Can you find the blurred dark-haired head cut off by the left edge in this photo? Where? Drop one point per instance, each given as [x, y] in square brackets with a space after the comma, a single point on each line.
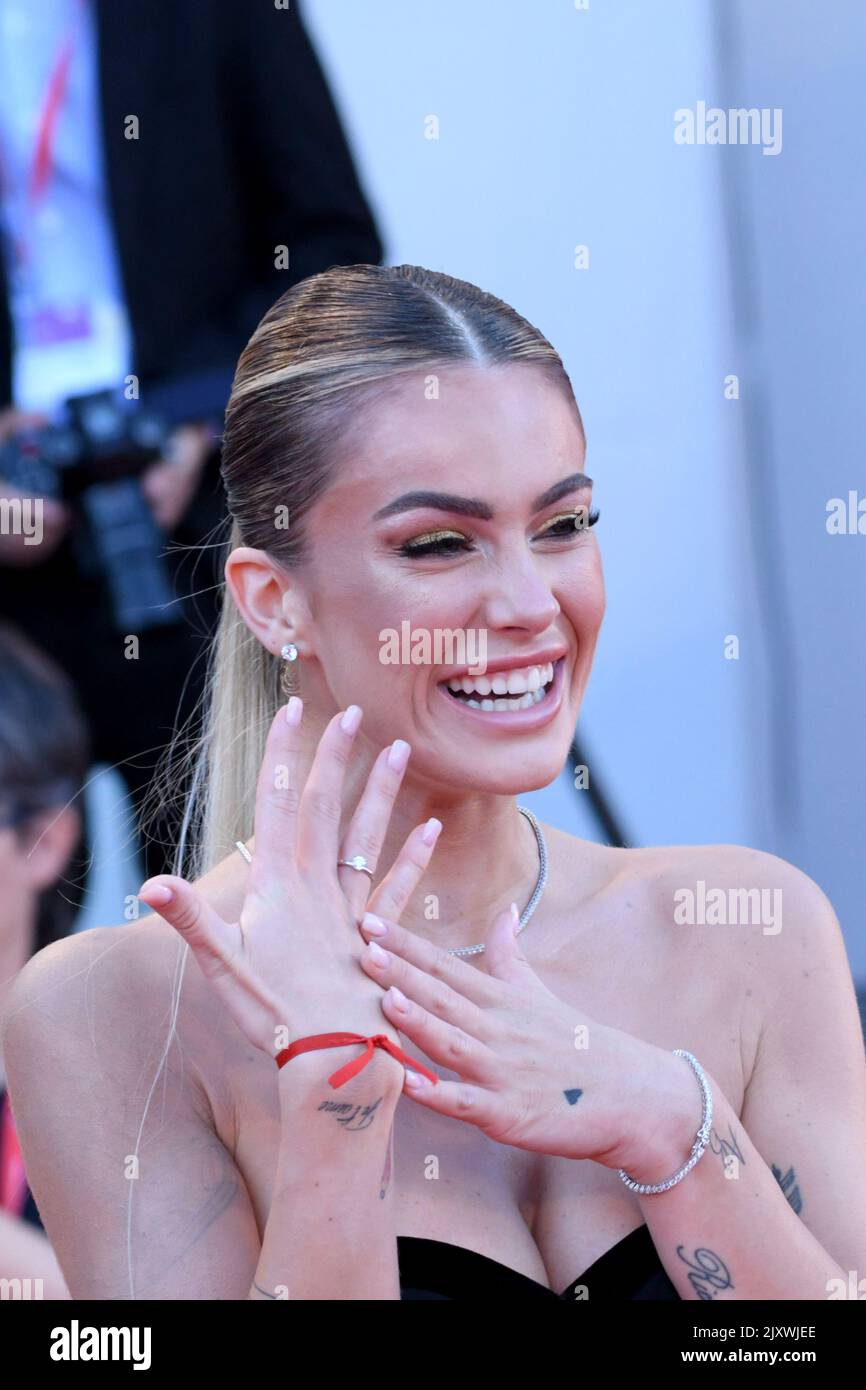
[44, 761]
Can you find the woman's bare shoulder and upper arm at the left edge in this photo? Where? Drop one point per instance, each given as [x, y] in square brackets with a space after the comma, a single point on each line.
[106, 1086]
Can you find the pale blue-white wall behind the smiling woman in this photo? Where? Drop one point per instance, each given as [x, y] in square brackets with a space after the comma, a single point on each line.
[555, 130]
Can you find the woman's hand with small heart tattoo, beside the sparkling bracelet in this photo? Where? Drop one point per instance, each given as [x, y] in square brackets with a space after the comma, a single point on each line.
[533, 1071]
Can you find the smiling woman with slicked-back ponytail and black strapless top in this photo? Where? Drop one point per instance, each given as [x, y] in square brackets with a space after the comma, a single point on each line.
[575, 1086]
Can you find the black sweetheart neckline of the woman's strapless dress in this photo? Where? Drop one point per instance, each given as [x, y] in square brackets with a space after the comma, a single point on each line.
[629, 1271]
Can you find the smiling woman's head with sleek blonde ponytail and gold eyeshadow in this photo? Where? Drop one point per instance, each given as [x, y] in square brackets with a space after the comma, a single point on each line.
[361, 386]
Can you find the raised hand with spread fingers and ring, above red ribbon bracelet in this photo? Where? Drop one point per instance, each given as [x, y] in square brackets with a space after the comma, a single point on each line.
[290, 965]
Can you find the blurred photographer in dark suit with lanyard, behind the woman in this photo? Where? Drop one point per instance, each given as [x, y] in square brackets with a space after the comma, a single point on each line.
[166, 172]
